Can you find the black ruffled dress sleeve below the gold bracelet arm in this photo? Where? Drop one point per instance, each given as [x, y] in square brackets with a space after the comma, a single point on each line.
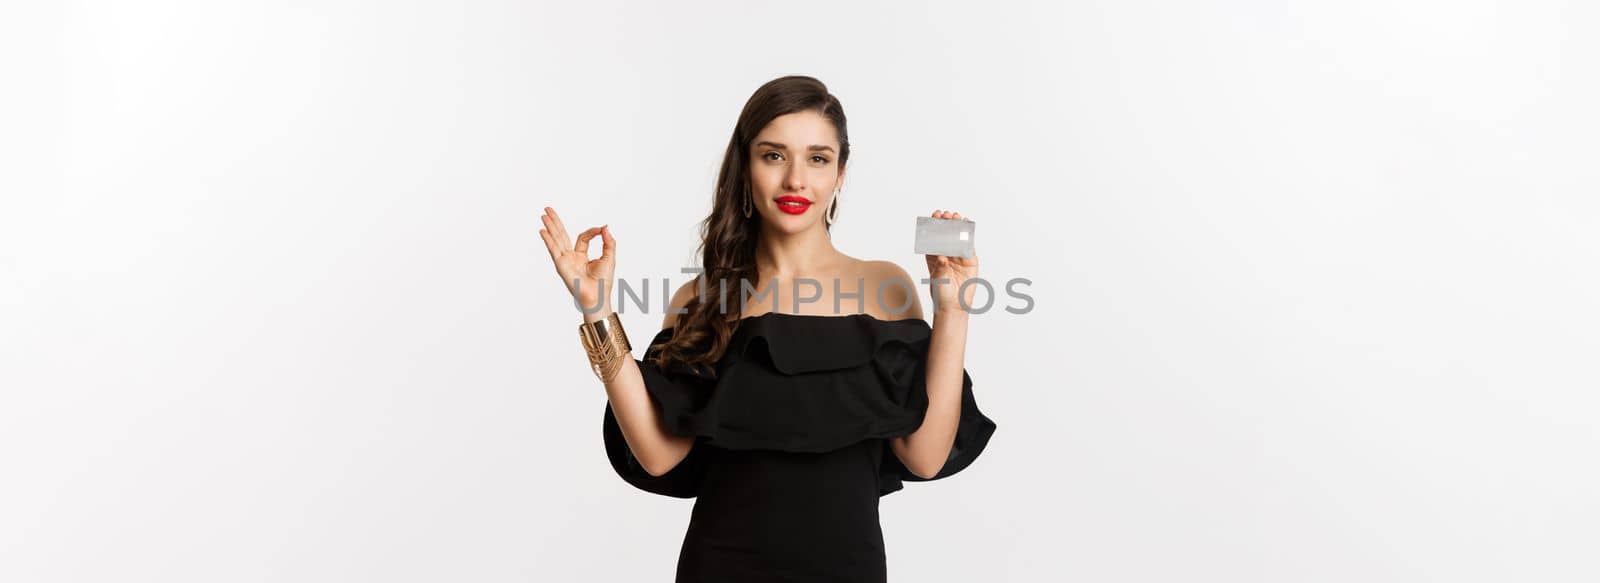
[674, 395]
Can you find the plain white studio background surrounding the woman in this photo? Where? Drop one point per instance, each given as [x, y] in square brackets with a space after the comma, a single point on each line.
[1314, 283]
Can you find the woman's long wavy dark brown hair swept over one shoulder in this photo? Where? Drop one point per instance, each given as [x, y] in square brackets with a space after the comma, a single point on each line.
[727, 236]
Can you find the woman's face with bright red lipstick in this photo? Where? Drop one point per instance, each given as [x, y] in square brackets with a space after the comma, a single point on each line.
[794, 171]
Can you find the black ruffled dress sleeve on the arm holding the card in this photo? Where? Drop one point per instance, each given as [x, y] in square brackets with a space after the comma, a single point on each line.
[906, 368]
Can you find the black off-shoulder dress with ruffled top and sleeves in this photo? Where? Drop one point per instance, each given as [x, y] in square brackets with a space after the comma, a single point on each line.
[791, 451]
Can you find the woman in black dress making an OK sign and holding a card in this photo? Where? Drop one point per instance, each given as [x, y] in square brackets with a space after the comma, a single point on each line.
[785, 427]
